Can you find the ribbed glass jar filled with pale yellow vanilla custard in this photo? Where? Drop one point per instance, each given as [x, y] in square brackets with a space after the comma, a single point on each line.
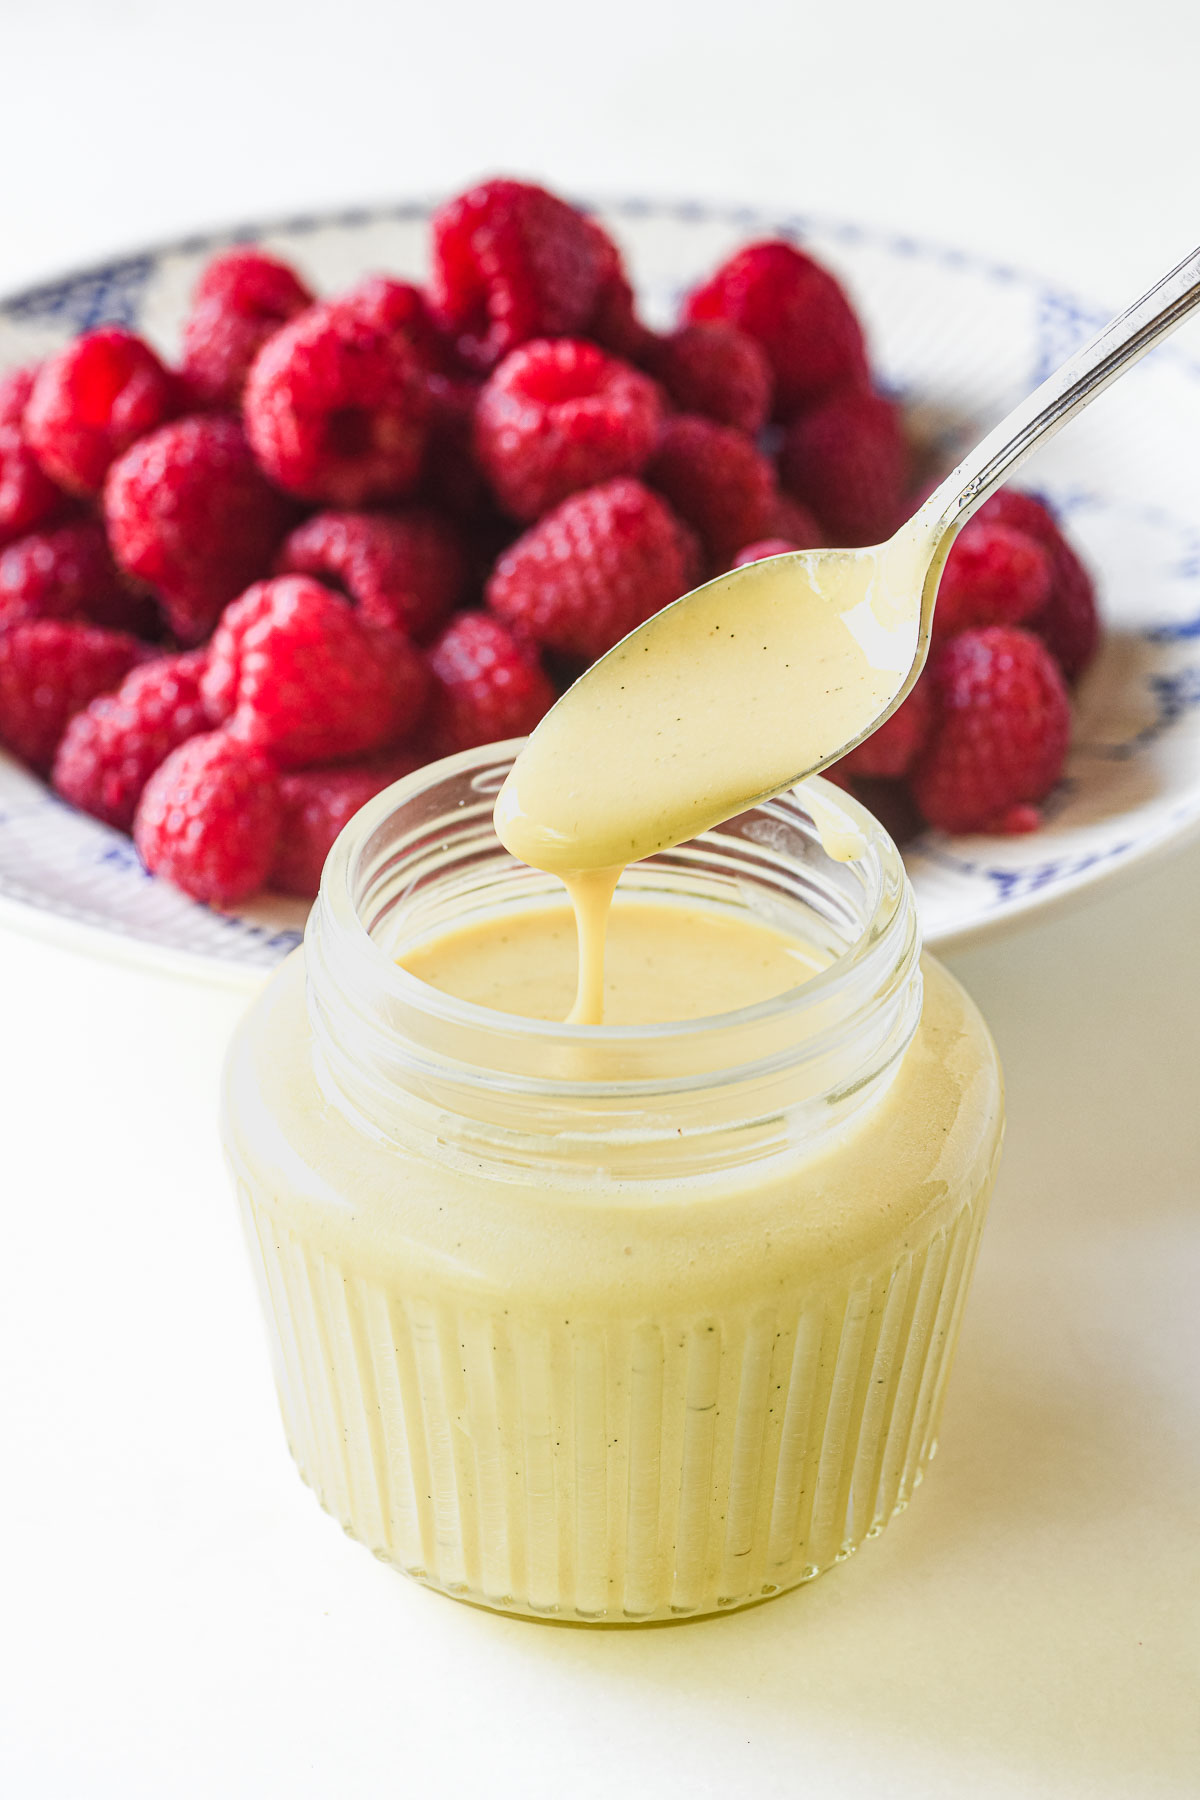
[609, 1324]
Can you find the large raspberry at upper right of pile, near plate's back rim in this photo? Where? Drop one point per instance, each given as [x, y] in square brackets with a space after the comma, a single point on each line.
[796, 310]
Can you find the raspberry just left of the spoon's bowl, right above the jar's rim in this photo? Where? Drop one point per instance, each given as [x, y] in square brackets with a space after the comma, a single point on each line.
[490, 687]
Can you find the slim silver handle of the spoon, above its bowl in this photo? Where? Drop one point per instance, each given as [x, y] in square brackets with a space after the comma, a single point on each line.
[1062, 395]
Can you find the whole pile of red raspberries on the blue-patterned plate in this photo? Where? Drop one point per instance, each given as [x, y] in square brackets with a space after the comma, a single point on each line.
[350, 535]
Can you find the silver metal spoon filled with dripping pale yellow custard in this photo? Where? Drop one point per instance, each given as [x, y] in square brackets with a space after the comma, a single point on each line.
[776, 670]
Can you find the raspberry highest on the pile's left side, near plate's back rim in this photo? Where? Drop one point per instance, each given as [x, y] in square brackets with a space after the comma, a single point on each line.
[242, 298]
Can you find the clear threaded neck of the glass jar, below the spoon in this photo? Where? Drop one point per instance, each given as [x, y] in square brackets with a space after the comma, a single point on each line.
[420, 1065]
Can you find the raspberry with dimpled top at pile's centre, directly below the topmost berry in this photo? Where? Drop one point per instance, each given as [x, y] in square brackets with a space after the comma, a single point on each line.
[559, 417]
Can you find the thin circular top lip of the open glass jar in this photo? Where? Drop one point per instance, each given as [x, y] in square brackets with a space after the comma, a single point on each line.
[343, 908]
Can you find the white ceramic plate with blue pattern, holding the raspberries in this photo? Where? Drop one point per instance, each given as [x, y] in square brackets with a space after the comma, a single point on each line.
[960, 339]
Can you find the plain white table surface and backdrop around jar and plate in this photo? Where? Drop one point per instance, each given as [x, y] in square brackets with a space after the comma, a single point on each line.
[179, 1617]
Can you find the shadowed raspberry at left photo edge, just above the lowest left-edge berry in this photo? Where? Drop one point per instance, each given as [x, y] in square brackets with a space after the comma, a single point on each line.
[66, 575]
